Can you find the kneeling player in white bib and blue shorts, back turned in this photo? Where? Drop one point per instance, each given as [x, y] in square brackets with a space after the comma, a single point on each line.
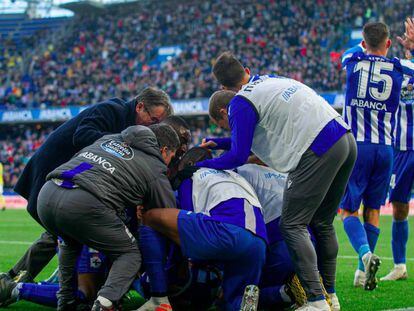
[221, 220]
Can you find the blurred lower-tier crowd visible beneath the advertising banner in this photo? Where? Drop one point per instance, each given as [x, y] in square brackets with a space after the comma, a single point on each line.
[19, 144]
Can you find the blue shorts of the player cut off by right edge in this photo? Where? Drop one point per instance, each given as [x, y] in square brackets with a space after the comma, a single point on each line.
[402, 176]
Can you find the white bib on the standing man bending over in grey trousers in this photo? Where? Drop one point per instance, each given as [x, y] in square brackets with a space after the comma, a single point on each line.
[291, 115]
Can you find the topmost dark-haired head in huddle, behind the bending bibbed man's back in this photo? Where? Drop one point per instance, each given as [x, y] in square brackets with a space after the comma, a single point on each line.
[228, 71]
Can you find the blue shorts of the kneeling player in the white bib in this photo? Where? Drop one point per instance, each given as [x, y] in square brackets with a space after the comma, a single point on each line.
[240, 252]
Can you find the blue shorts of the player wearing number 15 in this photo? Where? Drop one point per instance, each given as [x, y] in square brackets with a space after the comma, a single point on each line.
[370, 178]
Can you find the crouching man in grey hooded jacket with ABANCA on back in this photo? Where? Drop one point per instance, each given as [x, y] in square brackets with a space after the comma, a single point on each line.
[85, 199]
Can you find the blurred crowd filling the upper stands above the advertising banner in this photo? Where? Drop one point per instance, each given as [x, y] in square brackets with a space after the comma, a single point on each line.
[112, 54]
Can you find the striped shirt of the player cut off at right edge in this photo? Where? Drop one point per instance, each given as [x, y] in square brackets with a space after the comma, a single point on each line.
[404, 129]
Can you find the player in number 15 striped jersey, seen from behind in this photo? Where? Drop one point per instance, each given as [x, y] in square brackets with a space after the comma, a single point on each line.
[372, 96]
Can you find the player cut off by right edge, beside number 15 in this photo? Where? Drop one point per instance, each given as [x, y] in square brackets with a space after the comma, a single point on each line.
[402, 180]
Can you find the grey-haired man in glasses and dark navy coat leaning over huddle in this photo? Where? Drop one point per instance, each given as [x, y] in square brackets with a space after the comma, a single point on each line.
[112, 116]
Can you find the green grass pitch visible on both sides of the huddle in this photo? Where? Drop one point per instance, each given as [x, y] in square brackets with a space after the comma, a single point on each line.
[16, 225]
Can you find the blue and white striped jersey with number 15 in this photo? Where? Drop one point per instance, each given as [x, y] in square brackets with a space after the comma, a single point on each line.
[373, 94]
